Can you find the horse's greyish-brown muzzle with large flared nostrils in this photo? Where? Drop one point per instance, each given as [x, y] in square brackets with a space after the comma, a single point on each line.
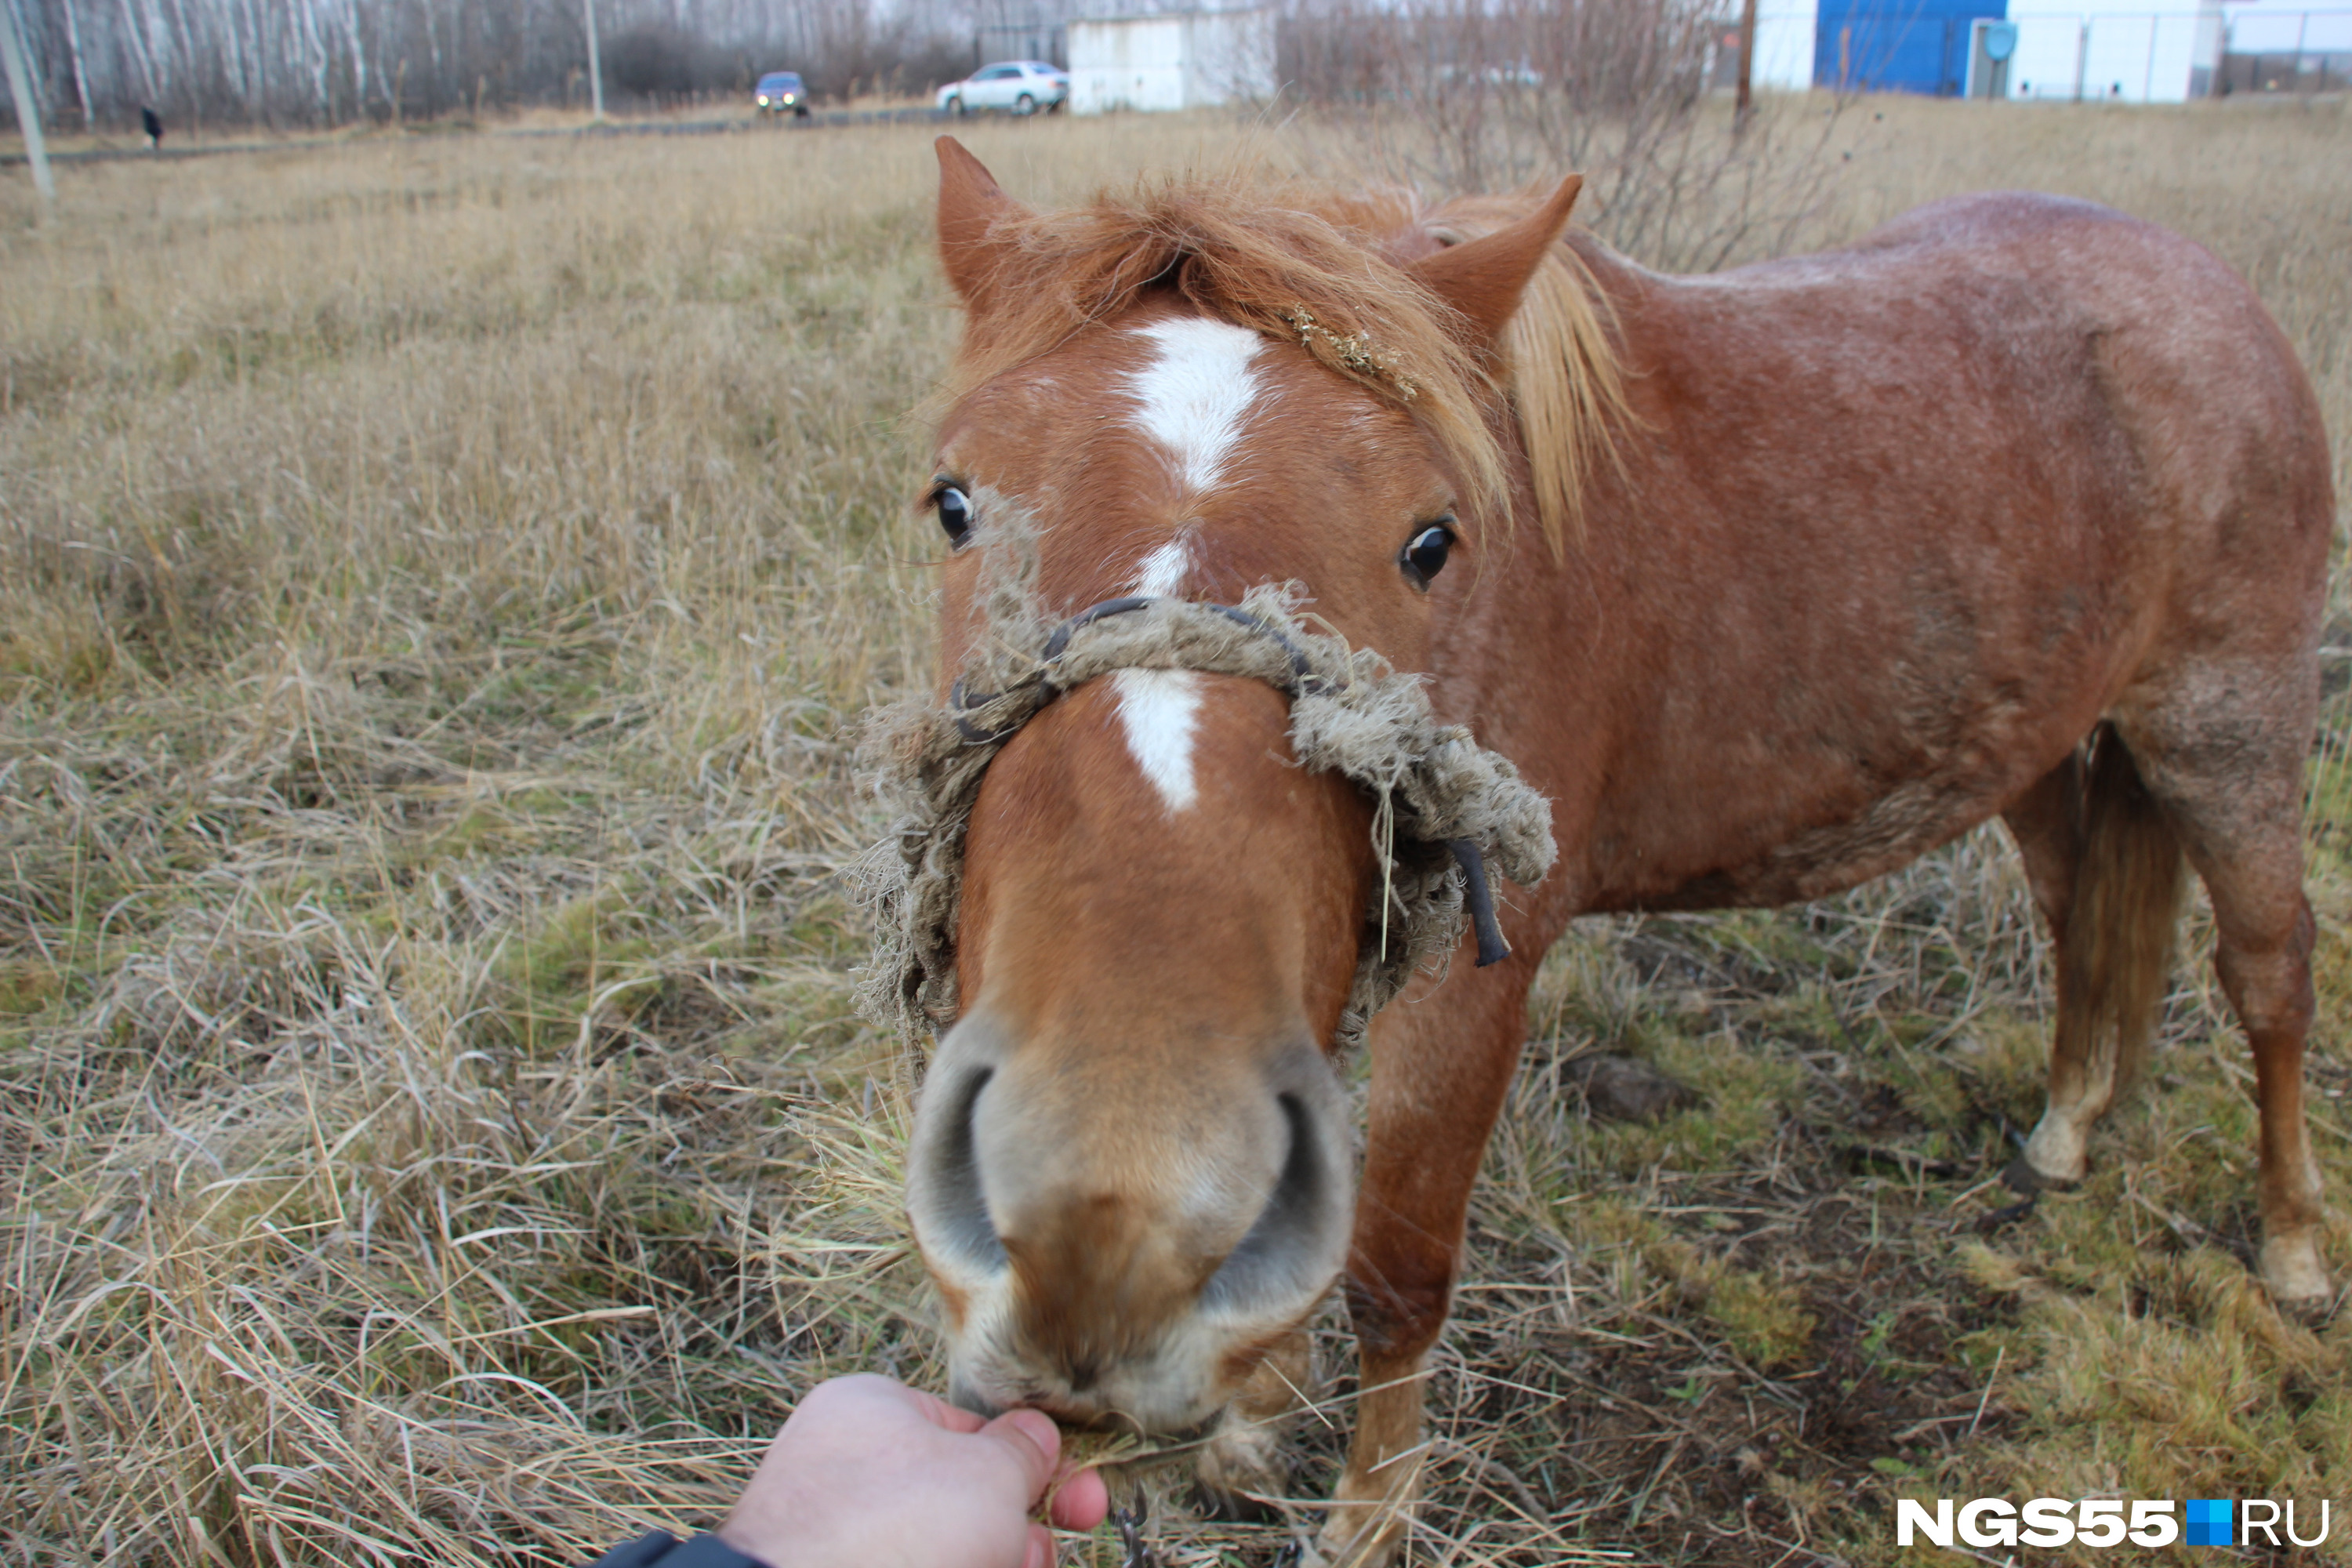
[1123, 1233]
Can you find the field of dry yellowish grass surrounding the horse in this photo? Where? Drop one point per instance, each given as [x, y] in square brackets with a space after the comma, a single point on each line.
[439, 587]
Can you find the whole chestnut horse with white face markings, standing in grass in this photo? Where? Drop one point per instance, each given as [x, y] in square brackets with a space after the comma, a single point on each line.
[1770, 582]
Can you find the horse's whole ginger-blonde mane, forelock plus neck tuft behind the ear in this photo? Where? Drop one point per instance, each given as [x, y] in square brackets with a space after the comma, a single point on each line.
[1318, 269]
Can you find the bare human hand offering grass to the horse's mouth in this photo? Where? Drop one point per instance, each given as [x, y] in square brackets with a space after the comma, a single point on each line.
[876, 1475]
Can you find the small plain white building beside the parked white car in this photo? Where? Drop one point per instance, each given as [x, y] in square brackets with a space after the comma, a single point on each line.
[1184, 60]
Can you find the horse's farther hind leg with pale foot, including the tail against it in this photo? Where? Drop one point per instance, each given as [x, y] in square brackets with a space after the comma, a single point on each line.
[2104, 866]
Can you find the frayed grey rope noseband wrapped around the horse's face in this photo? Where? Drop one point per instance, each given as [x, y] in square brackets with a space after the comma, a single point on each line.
[1351, 713]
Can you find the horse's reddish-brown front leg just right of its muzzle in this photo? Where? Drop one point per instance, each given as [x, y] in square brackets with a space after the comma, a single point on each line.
[1441, 1068]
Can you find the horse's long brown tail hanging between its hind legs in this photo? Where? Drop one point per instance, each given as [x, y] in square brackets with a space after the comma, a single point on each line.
[2127, 904]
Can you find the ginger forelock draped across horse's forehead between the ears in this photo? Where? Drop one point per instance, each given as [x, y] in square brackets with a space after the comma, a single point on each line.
[1321, 272]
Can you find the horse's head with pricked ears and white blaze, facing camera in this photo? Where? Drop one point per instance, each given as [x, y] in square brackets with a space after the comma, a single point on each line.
[1130, 1172]
